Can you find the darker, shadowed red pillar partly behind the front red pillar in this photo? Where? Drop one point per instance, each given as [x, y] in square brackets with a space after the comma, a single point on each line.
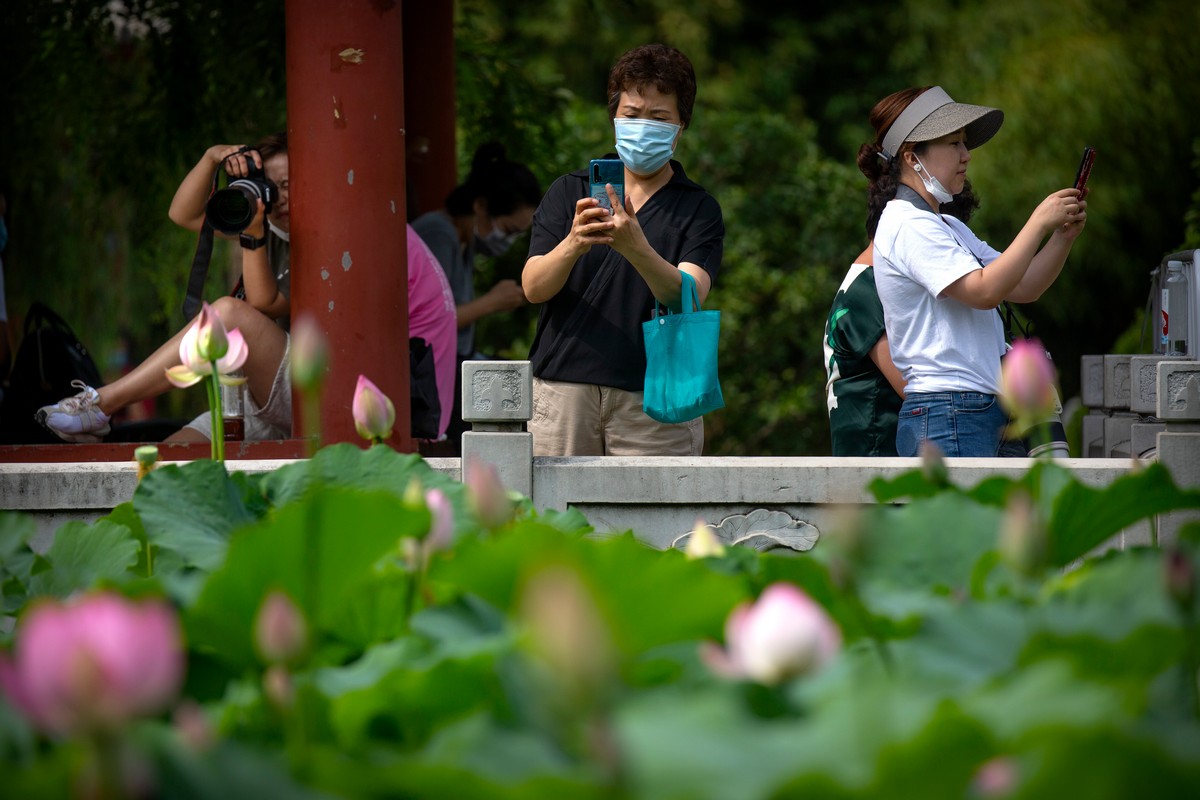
[430, 104]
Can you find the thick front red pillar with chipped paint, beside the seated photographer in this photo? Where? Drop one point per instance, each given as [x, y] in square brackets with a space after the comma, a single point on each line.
[346, 145]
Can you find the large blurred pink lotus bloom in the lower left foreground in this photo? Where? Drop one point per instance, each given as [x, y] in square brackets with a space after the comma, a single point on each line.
[94, 664]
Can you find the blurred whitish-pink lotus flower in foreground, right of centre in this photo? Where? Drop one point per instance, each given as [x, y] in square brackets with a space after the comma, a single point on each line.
[784, 635]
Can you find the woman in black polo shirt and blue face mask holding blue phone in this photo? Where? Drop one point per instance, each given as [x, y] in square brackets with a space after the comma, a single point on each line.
[599, 273]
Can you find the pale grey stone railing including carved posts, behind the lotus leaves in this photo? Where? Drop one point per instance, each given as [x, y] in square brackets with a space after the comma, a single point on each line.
[760, 502]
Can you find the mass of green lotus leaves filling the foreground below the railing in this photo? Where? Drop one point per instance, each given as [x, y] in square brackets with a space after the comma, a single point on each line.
[992, 646]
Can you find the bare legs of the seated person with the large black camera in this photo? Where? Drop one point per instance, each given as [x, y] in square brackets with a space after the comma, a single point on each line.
[267, 345]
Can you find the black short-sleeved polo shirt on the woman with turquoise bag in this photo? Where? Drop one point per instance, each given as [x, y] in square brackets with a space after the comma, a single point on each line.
[591, 333]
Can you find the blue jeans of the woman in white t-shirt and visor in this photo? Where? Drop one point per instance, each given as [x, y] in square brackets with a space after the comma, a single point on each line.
[961, 424]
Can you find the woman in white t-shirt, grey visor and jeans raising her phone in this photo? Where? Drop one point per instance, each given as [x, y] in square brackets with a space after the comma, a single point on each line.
[939, 282]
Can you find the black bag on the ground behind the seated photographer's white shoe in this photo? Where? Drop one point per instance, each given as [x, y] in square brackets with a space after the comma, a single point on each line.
[49, 359]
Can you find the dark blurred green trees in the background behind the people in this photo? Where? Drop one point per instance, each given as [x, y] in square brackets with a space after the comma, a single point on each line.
[103, 125]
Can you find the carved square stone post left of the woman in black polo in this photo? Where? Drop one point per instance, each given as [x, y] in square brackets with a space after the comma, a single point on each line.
[497, 400]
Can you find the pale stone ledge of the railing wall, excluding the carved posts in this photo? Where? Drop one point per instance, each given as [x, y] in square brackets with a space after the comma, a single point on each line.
[661, 498]
